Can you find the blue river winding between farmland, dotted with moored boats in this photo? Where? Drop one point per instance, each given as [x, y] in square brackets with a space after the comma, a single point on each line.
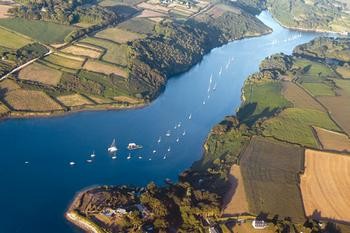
[34, 196]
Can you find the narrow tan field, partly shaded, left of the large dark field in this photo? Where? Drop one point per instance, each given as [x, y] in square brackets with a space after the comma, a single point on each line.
[235, 200]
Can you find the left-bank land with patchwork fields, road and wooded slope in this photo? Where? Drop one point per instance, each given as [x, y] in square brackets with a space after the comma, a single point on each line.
[60, 57]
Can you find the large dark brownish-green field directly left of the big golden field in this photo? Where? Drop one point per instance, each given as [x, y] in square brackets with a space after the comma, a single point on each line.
[270, 174]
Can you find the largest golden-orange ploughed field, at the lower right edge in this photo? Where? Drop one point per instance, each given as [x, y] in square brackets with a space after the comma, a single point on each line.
[325, 185]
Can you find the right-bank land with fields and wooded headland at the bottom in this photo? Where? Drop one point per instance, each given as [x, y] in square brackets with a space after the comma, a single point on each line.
[262, 164]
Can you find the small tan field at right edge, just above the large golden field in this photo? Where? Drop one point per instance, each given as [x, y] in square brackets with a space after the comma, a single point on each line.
[331, 140]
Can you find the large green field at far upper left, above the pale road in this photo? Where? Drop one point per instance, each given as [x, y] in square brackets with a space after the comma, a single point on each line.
[44, 32]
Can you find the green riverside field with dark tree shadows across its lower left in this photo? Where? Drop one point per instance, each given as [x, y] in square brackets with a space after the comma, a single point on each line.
[261, 100]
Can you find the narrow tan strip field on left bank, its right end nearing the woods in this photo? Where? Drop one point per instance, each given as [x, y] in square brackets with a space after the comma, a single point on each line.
[105, 68]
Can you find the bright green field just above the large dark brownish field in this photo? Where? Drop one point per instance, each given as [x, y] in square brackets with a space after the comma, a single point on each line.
[295, 125]
